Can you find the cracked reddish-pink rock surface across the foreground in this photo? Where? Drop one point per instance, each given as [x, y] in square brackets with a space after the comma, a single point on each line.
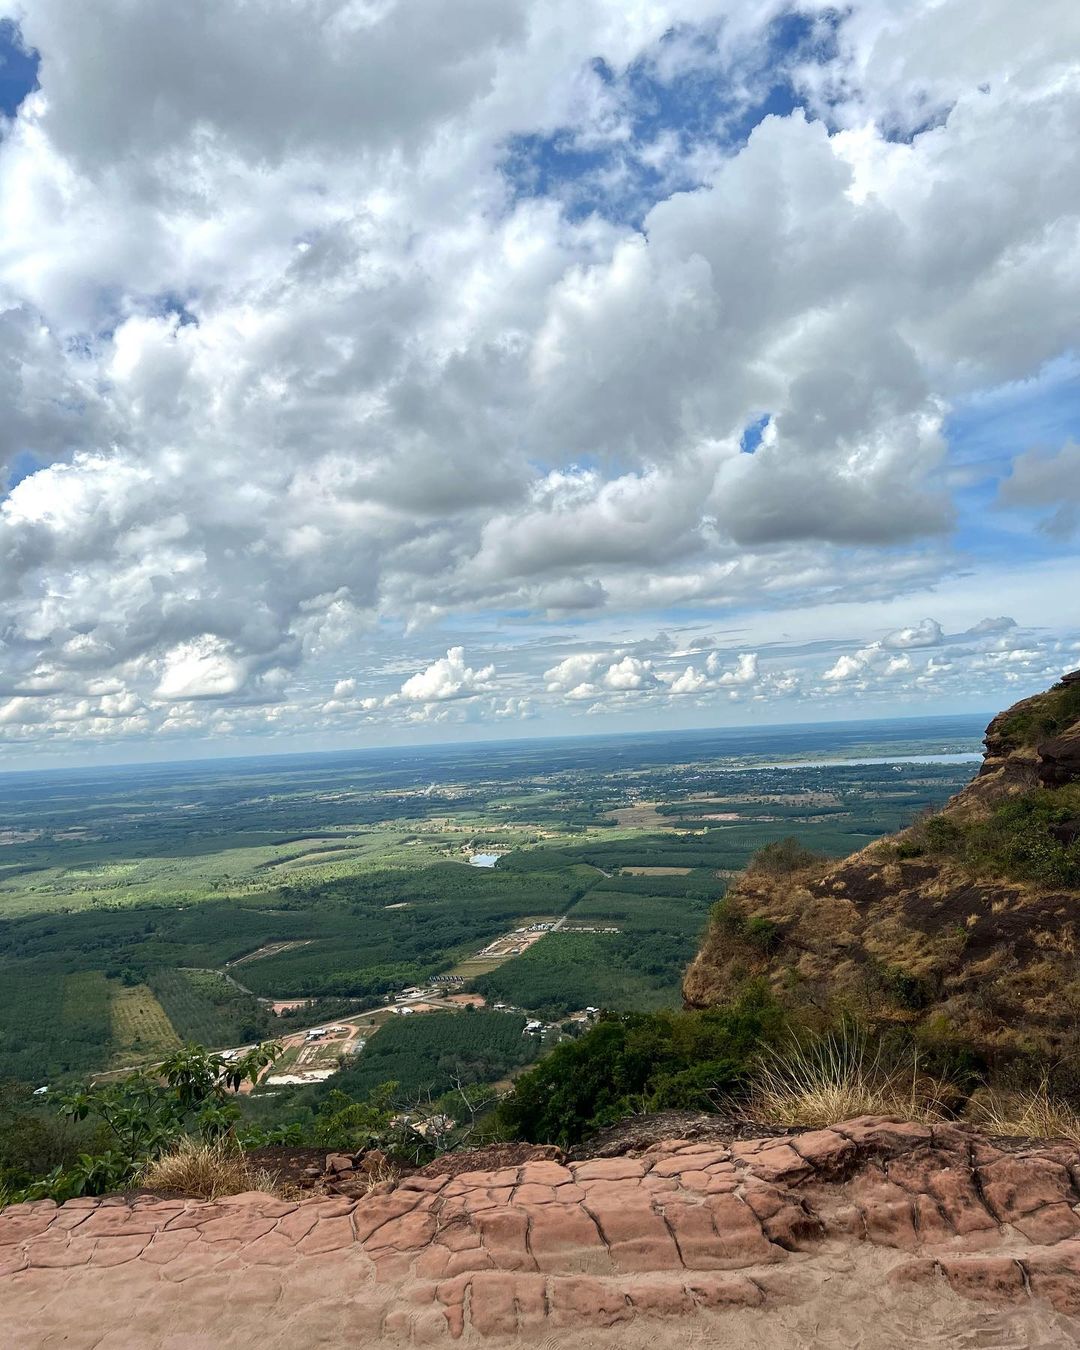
[873, 1233]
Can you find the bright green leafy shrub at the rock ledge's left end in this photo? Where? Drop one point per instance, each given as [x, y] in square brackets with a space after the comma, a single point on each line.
[144, 1114]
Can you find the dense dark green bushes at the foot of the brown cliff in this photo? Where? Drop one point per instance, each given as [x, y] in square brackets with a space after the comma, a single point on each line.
[634, 1063]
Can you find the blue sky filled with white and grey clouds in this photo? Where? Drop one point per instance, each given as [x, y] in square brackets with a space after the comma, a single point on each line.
[387, 372]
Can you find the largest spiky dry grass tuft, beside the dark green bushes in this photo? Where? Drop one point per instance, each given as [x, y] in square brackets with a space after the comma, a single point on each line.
[821, 1081]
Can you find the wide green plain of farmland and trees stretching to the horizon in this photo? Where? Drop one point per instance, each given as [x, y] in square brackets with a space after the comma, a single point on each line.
[146, 907]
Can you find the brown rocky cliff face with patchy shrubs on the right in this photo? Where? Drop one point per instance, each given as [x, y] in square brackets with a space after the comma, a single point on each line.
[963, 927]
